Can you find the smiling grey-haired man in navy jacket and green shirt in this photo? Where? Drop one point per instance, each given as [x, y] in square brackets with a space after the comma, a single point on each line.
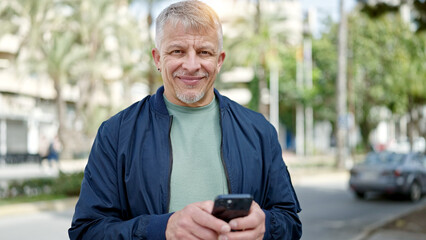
[155, 167]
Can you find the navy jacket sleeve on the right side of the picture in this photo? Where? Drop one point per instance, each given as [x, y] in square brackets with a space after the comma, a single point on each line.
[281, 203]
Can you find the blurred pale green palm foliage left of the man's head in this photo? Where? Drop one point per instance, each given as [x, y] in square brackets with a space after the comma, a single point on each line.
[76, 44]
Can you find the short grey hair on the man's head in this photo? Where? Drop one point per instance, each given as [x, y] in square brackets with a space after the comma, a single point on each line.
[193, 15]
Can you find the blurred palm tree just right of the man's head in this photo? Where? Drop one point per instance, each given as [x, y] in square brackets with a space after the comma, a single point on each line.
[262, 48]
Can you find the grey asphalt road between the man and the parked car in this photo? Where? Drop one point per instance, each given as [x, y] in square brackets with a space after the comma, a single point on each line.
[331, 212]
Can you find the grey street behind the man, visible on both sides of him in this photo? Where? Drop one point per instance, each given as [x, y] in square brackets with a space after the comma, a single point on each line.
[330, 212]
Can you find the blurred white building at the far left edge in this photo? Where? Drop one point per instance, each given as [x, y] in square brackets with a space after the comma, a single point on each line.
[27, 110]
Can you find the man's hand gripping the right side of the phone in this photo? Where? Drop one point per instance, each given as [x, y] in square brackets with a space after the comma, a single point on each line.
[250, 227]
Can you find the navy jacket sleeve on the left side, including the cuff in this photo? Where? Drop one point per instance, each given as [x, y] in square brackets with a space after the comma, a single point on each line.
[99, 210]
